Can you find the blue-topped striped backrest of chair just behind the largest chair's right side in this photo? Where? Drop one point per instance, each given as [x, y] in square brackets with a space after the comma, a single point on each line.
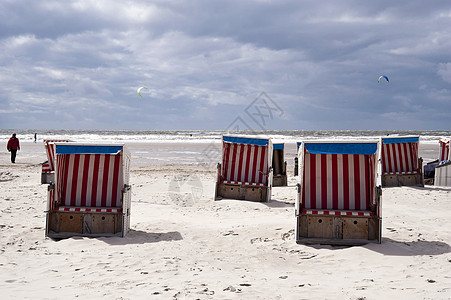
[399, 154]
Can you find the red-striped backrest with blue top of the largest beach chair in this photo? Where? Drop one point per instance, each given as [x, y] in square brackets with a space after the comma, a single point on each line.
[338, 176]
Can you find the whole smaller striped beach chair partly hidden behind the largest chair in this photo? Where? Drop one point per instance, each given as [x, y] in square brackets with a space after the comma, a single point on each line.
[401, 164]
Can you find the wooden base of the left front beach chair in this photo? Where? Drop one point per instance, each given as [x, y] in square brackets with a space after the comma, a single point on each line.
[68, 224]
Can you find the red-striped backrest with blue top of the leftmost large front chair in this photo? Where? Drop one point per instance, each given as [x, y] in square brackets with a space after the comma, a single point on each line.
[90, 175]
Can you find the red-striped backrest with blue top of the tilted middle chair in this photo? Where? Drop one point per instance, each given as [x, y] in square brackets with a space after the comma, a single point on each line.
[246, 159]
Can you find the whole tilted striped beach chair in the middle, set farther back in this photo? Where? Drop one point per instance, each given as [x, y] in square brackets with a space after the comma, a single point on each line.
[245, 172]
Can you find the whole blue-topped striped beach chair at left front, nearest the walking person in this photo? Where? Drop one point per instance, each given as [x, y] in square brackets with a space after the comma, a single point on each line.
[91, 193]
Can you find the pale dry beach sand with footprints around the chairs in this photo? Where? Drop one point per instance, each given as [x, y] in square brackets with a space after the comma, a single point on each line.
[182, 247]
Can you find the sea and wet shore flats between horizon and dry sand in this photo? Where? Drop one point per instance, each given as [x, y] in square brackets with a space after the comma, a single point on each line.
[196, 147]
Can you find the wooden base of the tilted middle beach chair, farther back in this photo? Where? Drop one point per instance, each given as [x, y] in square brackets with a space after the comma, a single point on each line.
[241, 192]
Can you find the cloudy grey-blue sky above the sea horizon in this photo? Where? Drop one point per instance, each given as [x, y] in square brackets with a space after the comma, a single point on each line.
[247, 64]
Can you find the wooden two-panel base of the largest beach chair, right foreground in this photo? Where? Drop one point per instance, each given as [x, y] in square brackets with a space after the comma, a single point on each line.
[338, 230]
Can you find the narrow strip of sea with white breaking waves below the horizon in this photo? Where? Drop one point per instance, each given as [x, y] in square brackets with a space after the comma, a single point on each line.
[213, 136]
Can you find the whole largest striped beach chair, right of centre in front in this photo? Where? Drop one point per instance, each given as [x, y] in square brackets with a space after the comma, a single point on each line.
[339, 197]
